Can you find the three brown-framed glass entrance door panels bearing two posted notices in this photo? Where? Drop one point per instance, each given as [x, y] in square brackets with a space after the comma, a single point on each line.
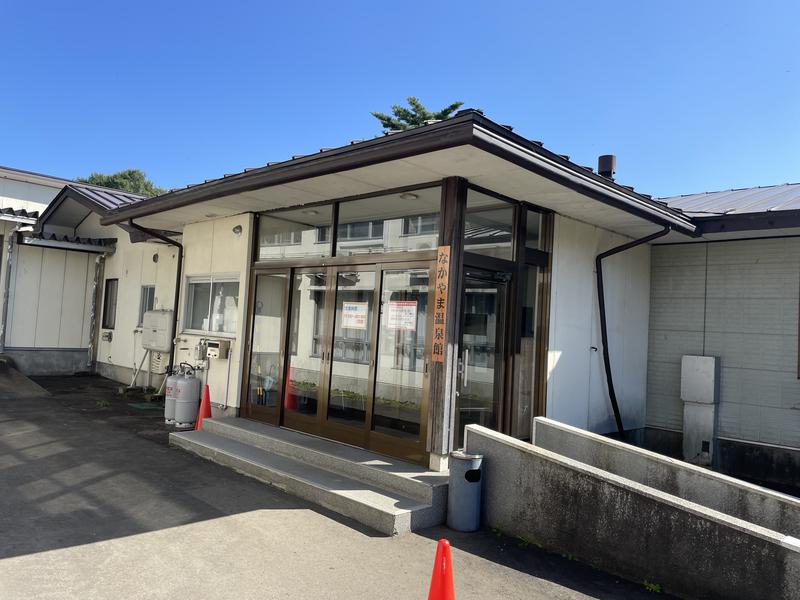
[357, 355]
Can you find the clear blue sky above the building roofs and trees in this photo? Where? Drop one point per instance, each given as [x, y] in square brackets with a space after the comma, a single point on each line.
[690, 95]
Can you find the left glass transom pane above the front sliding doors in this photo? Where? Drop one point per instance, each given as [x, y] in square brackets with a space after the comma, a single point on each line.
[294, 233]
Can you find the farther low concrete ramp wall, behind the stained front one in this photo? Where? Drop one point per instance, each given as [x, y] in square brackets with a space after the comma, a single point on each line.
[733, 497]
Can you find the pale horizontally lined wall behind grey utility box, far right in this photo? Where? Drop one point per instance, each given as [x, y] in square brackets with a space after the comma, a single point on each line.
[738, 301]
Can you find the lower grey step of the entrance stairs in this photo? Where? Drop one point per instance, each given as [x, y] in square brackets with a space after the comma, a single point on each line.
[383, 510]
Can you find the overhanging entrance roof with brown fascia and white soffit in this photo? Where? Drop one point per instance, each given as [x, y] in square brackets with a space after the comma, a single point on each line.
[467, 145]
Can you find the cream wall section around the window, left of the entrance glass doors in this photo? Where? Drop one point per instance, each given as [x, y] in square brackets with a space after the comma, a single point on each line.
[212, 248]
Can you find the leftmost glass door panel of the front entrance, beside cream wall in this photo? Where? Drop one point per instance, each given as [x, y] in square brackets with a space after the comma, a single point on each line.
[266, 346]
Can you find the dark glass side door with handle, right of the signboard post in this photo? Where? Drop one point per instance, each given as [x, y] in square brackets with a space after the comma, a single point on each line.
[481, 364]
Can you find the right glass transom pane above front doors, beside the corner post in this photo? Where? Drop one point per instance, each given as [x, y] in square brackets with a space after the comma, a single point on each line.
[399, 222]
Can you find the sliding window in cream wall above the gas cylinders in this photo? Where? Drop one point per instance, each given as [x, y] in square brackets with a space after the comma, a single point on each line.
[212, 305]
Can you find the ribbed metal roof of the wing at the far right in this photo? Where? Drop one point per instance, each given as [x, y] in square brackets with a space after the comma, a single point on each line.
[768, 198]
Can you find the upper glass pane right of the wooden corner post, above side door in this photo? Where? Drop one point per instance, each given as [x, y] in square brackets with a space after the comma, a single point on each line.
[488, 226]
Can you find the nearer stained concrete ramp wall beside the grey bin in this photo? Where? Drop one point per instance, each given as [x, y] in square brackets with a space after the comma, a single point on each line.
[625, 527]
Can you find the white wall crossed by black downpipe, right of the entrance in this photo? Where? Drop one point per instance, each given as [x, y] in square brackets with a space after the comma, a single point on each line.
[576, 384]
